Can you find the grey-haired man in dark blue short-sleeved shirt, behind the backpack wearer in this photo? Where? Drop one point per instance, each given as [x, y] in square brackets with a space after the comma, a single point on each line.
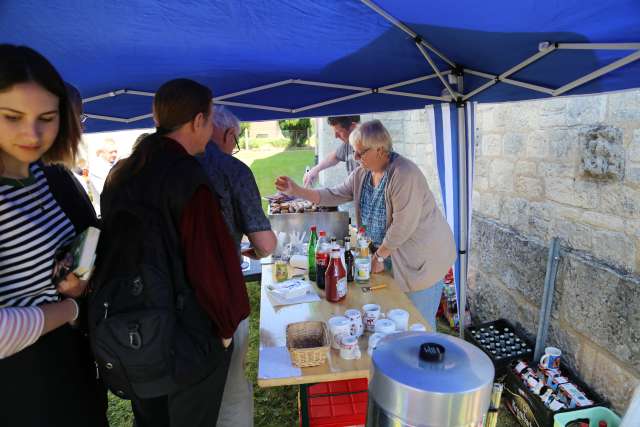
[241, 206]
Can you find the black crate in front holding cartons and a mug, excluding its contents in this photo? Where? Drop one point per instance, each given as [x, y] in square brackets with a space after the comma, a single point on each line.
[529, 409]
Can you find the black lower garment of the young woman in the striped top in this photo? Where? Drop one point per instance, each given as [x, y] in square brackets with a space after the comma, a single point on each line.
[52, 383]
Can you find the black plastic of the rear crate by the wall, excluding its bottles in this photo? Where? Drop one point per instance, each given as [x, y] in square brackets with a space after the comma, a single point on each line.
[500, 360]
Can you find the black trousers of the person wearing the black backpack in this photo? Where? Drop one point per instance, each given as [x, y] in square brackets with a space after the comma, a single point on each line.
[196, 405]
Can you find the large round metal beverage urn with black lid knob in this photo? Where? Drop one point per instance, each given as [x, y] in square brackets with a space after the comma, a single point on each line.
[421, 379]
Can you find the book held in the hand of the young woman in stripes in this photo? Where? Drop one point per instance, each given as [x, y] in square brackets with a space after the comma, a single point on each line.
[77, 257]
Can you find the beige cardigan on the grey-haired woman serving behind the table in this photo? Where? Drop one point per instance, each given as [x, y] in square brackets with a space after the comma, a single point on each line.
[420, 240]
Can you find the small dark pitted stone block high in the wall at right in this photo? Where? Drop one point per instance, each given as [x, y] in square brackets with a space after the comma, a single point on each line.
[602, 155]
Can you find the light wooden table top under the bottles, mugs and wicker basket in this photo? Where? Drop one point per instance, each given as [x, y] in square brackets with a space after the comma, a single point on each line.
[275, 367]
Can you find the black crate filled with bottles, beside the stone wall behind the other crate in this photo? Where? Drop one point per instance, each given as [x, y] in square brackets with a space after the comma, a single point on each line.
[501, 341]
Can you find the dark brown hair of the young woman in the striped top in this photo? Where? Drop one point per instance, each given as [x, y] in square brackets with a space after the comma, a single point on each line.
[21, 64]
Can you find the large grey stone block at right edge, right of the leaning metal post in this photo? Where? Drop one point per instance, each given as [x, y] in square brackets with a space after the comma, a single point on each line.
[602, 305]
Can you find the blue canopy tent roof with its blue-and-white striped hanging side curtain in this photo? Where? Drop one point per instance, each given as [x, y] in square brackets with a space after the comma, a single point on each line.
[301, 58]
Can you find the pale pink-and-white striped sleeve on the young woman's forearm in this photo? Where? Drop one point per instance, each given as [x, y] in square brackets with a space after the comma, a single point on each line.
[19, 328]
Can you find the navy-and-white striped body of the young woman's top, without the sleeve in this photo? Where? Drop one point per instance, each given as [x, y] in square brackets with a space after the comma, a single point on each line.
[32, 228]
